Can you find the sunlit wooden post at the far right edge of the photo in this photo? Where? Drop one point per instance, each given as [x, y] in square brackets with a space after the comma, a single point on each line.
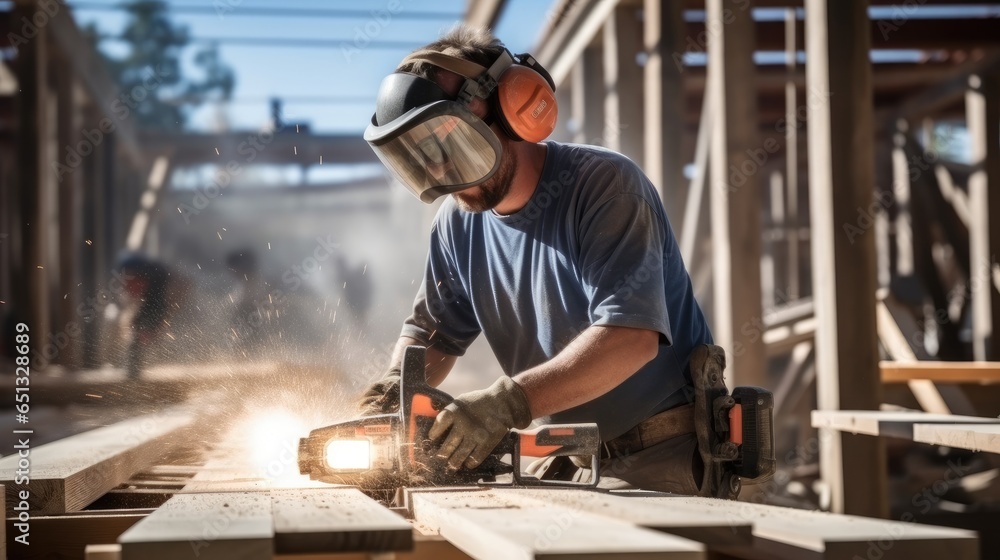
[982, 108]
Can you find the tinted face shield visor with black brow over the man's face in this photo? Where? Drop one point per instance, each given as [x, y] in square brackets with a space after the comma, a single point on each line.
[430, 143]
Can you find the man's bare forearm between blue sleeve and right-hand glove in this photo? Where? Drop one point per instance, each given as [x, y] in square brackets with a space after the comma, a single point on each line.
[597, 361]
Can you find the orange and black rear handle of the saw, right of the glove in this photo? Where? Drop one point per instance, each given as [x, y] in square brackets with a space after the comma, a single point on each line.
[555, 441]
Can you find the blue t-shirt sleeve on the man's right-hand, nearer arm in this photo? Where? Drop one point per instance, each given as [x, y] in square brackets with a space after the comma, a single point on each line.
[621, 253]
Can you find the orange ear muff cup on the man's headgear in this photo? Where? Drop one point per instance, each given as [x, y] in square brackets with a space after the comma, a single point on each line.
[527, 104]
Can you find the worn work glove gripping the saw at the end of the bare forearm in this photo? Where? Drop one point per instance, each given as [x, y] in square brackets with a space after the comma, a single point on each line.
[474, 423]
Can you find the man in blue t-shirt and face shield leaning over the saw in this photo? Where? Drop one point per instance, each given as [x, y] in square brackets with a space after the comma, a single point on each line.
[560, 254]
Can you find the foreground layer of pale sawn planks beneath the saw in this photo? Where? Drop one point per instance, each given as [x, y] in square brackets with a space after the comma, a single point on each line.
[225, 509]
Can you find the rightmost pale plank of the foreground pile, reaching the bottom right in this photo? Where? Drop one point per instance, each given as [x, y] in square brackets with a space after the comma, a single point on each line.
[795, 534]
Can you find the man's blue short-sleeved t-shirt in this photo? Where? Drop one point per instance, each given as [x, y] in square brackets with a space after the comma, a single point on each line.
[592, 247]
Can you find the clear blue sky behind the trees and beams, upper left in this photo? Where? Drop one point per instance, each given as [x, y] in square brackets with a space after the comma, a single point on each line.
[331, 86]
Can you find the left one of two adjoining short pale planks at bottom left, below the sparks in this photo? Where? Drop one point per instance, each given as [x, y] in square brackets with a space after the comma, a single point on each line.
[203, 526]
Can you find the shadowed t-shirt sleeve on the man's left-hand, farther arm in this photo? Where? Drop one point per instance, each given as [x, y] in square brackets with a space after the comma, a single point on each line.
[442, 315]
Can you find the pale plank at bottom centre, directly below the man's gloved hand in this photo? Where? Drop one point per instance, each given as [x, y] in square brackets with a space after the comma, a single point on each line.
[486, 524]
